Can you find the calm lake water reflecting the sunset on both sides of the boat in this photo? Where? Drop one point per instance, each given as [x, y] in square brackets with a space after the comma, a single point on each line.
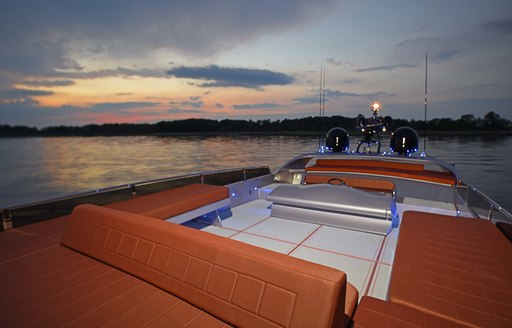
[39, 168]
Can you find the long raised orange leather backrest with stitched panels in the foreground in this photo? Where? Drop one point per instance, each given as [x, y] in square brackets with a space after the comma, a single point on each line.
[238, 283]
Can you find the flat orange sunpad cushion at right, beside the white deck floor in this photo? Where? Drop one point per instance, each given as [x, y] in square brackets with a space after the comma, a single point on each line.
[456, 268]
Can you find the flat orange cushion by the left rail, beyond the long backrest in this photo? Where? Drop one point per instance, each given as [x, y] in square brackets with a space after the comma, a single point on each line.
[169, 203]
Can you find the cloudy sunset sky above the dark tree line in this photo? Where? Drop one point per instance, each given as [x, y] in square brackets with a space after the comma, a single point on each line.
[126, 61]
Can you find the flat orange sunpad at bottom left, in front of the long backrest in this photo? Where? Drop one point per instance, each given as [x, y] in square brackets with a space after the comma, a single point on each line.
[45, 284]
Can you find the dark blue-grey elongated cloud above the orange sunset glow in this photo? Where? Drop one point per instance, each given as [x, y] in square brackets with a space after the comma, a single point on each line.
[218, 76]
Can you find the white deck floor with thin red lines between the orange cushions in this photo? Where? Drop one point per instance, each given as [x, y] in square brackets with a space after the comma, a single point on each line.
[366, 258]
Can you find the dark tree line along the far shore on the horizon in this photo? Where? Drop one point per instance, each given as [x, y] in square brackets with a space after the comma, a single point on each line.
[490, 122]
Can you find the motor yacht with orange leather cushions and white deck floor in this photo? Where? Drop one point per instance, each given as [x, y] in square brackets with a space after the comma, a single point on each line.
[334, 238]
